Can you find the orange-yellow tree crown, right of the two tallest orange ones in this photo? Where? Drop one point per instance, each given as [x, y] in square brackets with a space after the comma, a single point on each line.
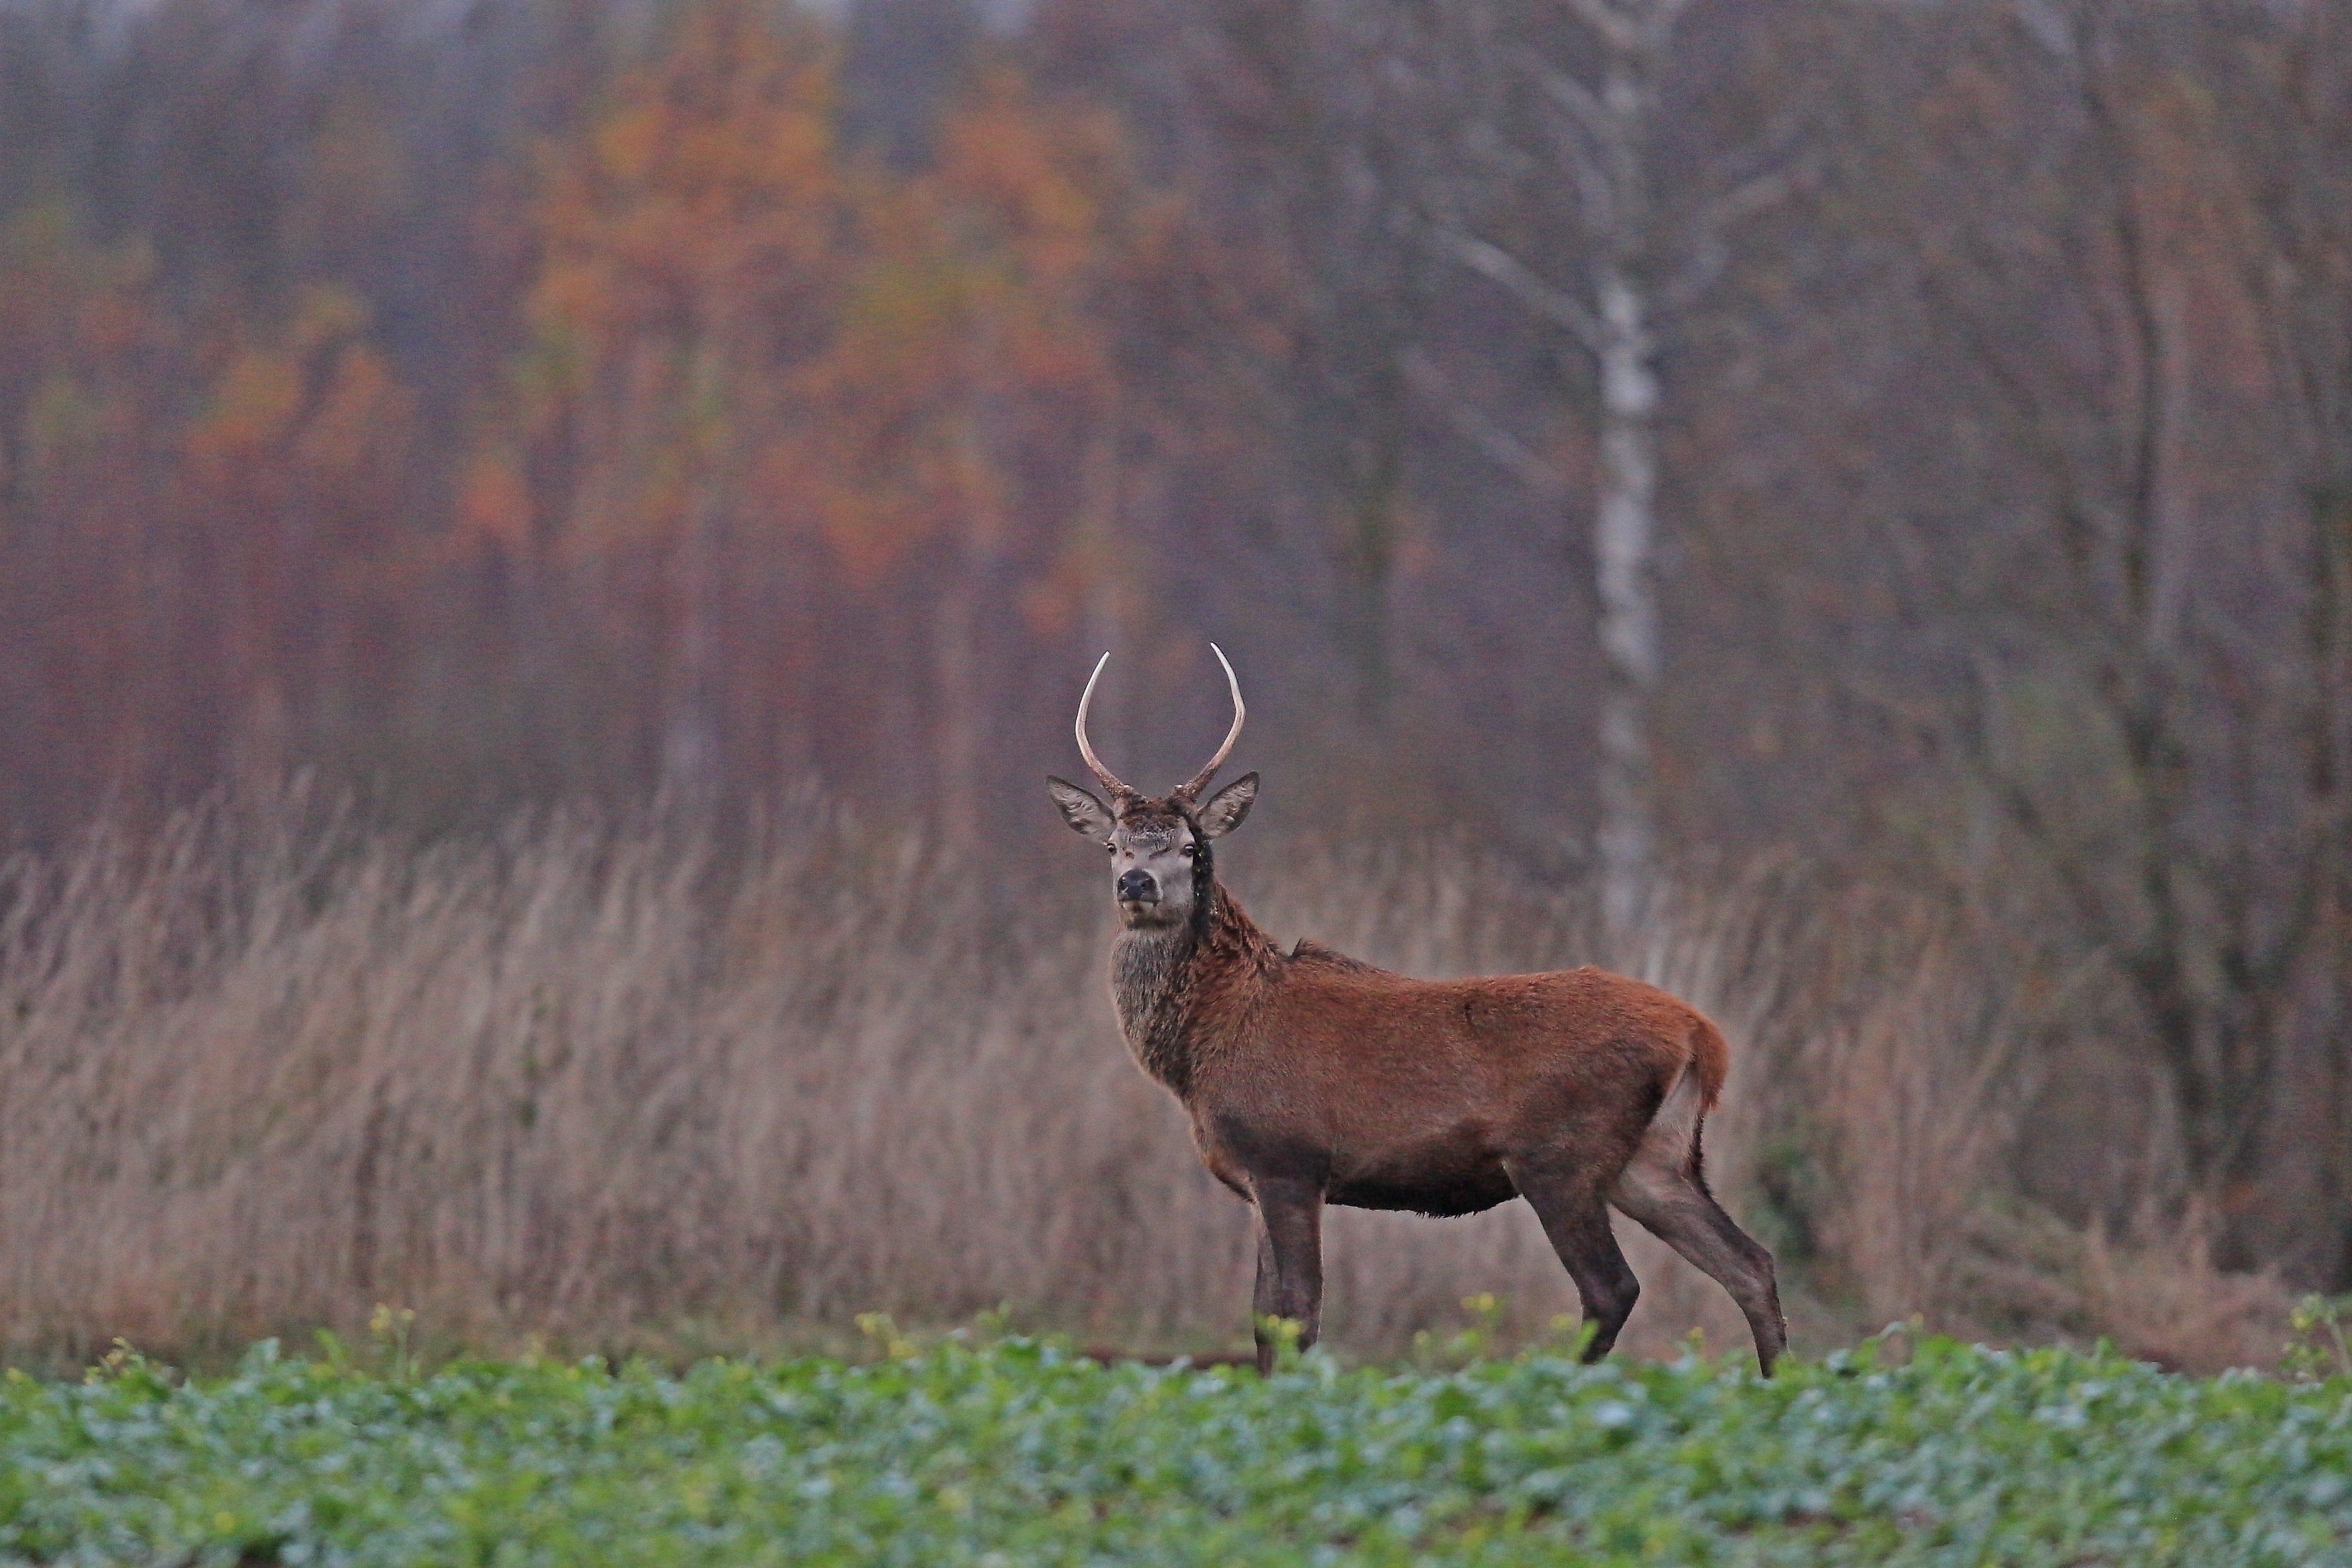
[975, 354]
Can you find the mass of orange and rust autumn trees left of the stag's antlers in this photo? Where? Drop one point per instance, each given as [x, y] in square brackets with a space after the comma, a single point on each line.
[761, 457]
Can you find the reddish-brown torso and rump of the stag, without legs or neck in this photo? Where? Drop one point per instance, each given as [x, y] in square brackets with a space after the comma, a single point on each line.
[1441, 1097]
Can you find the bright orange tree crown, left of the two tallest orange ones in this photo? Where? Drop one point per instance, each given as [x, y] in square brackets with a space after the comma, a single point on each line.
[686, 260]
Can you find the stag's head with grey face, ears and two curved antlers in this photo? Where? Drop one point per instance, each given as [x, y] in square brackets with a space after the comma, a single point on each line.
[1161, 864]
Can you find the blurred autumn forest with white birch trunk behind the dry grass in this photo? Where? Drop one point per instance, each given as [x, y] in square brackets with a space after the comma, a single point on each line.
[1652, 436]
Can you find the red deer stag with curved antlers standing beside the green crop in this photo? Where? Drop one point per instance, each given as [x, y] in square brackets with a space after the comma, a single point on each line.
[1318, 1080]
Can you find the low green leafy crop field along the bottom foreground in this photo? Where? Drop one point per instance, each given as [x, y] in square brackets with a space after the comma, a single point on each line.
[1027, 1454]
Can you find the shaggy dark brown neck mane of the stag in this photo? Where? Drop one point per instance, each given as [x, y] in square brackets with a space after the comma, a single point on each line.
[1161, 981]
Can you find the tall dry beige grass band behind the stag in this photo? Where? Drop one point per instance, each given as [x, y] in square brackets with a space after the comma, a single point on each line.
[634, 1080]
